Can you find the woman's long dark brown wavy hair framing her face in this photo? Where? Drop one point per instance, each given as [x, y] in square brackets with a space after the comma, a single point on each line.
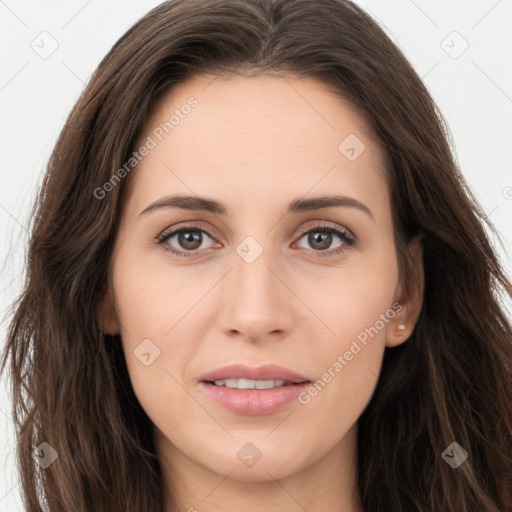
[451, 381]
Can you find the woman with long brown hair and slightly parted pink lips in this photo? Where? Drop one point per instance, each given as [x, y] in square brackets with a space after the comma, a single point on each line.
[255, 369]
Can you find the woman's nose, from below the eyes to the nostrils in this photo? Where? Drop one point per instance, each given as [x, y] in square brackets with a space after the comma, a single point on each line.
[257, 300]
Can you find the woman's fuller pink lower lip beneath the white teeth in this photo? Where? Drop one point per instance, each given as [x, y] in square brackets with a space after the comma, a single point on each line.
[253, 402]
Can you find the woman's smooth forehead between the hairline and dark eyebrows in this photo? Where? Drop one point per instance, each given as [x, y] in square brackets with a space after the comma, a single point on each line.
[257, 138]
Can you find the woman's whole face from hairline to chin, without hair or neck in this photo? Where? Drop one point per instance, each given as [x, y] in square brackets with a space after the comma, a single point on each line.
[257, 275]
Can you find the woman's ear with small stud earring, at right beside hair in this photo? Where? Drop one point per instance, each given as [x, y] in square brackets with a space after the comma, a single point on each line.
[410, 296]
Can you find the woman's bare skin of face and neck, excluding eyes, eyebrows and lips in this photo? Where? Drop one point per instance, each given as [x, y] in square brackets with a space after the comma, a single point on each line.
[256, 144]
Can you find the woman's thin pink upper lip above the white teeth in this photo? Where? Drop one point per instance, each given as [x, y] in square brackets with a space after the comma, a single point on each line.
[266, 372]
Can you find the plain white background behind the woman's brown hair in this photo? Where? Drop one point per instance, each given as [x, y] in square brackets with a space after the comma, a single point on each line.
[473, 91]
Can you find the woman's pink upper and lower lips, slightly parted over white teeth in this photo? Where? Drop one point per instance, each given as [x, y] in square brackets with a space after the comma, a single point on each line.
[254, 402]
